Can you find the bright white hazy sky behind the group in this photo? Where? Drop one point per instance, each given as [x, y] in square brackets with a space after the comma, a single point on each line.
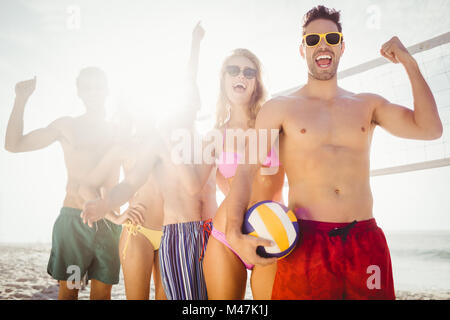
[144, 45]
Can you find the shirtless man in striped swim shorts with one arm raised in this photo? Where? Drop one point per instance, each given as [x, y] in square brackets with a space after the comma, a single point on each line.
[188, 193]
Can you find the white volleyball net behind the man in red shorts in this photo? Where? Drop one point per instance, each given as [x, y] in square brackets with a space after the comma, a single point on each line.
[391, 154]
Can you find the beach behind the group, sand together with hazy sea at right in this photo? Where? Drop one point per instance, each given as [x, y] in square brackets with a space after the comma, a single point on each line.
[421, 265]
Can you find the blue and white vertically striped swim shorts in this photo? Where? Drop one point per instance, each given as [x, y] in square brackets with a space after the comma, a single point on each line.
[180, 256]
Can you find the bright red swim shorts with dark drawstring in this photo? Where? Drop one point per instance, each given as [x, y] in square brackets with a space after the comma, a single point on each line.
[336, 261]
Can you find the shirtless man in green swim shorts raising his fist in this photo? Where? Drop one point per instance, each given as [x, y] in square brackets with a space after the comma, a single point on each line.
[84, 139]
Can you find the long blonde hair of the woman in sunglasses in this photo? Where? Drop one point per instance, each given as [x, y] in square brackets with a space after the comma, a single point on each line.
[258, 96]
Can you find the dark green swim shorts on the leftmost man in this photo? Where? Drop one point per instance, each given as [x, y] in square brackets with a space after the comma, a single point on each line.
[77, 247]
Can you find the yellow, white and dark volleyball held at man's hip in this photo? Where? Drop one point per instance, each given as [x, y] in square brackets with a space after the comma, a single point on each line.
[272, 221]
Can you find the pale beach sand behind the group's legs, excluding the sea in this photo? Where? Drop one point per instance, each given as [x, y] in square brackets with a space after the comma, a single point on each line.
[23, 276]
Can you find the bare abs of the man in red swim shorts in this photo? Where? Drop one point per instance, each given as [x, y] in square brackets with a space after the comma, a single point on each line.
[330, 186]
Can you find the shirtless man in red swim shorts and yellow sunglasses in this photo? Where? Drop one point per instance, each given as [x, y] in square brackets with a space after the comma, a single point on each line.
[325, 136]
